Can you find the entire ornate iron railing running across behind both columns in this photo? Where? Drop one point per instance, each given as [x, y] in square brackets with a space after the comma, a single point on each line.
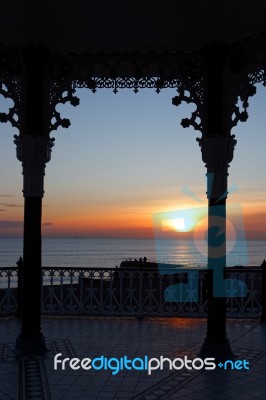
[134, 292]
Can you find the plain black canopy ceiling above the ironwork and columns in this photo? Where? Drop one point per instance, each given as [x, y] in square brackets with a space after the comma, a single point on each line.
[135, 25]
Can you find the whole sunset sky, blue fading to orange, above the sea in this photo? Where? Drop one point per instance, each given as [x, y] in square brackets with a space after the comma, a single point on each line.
[126, 161]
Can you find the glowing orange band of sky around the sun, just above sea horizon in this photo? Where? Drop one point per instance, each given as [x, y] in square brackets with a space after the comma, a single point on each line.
[128, 220]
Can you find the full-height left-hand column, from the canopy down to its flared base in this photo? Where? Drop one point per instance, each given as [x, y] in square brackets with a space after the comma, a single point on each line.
[34, 151]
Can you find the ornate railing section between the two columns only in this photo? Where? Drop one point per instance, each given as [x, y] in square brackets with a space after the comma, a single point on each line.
[118, 292]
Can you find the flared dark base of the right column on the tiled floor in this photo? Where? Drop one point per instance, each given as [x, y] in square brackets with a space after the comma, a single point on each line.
[220, 351]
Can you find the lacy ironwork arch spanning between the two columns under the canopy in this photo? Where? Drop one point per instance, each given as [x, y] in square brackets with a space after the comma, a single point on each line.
[127, 71]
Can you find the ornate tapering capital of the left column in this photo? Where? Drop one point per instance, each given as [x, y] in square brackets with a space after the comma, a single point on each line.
[34, 152]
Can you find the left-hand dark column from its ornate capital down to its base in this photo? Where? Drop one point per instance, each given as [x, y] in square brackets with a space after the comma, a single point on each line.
[34, 152]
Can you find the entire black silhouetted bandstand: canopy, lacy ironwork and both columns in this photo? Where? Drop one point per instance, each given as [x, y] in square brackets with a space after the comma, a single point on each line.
[211, 52]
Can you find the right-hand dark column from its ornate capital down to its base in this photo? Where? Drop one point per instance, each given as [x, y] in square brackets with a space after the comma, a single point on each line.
[217, 153]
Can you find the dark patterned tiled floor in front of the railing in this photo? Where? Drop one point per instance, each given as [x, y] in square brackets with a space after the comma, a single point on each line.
[35, 378]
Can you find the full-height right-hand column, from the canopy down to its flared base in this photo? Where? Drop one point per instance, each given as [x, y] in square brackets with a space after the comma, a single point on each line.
[217, 146]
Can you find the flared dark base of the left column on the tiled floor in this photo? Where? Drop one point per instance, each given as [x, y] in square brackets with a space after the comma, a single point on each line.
[30, 346]
